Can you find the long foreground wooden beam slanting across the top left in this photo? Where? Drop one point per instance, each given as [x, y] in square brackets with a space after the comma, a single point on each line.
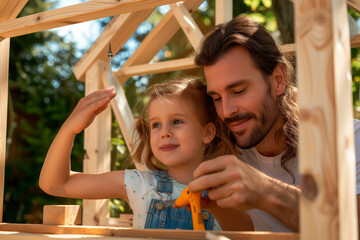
[77, 13]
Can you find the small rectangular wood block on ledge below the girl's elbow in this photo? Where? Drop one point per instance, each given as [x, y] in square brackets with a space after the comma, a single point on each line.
[62, 214]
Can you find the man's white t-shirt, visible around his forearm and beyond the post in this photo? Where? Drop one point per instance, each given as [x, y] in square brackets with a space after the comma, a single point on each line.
[271, 166]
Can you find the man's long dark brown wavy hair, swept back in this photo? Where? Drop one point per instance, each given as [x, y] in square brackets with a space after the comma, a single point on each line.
[244, 32]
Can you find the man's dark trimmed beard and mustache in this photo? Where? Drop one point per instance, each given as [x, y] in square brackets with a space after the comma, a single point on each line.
[269, 113]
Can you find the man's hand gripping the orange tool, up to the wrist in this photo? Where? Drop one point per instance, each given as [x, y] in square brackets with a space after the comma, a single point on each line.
[231, 183]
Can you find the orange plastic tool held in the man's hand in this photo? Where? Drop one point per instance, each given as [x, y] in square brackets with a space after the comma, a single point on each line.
[187, 197]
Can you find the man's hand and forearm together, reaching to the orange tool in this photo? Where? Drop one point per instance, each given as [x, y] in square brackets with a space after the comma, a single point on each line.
[235, 184]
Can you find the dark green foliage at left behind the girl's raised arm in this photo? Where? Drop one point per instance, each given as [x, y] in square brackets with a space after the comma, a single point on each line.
[42, 92]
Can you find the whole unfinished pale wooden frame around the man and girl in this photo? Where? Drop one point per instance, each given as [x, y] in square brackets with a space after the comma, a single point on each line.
[328, 206]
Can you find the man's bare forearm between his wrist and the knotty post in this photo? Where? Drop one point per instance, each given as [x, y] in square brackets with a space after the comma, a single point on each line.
[282, 202]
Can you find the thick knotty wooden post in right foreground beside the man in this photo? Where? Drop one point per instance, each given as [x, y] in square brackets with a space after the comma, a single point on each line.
[326, 150]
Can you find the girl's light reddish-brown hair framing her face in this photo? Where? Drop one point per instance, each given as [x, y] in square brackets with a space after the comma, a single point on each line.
[199, 107]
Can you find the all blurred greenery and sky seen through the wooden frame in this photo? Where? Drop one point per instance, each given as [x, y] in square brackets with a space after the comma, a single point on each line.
[43, 91]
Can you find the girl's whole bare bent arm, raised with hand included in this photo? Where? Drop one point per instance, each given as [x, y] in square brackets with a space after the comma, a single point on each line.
[56, 177]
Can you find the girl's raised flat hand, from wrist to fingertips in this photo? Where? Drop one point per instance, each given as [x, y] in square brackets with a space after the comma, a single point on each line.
[88, 108]
